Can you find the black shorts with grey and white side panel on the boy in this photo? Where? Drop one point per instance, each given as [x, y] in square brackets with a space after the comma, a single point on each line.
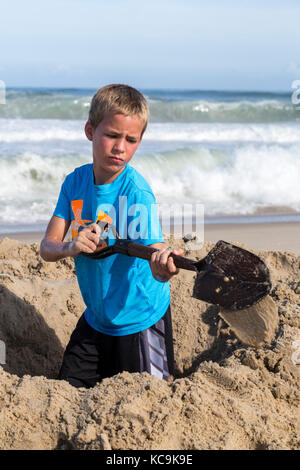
[90, 356]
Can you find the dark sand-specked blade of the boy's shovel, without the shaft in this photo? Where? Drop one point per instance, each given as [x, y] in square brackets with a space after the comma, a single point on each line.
[231, 277]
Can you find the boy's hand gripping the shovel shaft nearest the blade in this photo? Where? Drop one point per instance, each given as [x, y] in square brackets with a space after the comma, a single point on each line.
[162, 265]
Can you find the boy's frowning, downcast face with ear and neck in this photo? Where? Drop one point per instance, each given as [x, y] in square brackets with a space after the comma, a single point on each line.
[115, 140]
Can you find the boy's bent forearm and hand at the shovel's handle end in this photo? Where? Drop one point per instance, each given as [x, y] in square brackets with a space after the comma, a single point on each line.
[53, 246]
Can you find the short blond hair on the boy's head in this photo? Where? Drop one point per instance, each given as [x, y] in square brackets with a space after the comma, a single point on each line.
[118, 99]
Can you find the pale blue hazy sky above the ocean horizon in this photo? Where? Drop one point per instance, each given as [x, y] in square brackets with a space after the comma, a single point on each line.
[213, 44]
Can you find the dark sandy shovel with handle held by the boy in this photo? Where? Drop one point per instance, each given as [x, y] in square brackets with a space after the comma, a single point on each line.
[228, 276]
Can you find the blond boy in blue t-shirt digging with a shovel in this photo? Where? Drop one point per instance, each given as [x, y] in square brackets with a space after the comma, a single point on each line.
[127, 322]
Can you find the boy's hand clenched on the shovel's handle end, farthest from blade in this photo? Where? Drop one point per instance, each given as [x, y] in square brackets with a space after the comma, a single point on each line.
[87, 240]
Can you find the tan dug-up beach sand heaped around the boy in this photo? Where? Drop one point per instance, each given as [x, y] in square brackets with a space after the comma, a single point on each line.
[224, 395]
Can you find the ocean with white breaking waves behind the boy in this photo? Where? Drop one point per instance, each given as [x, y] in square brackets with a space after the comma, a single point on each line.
[236, 153]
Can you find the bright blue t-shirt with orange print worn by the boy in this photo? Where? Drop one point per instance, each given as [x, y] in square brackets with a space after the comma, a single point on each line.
[120, 293]
